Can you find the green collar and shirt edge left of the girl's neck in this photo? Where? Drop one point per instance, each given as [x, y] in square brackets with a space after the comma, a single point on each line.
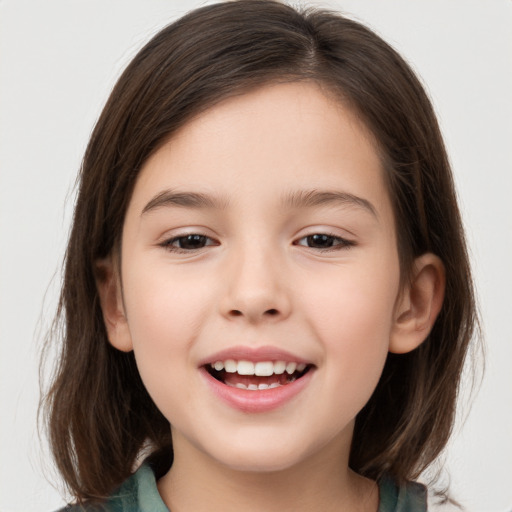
[138, 493]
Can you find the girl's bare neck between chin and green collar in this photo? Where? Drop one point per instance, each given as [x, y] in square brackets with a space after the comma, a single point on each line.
[323, 482]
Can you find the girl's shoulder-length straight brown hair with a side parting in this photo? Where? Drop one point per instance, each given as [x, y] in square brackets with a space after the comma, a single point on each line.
[99, 414]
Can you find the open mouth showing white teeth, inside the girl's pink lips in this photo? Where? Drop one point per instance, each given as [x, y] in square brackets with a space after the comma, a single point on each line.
[259, 375]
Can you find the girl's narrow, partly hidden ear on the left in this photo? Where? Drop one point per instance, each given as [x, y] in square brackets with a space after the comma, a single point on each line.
[108, 283]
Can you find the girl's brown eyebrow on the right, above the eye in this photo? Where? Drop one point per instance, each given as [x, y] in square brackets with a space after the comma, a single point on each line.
[312, 198]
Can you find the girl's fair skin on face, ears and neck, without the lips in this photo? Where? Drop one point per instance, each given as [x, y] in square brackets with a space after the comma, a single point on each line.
[259, 282]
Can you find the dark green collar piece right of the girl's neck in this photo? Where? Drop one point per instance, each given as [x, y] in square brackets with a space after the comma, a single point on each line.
[408, 497]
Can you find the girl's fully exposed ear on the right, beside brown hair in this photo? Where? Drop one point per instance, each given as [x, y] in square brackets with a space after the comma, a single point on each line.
[418, 305]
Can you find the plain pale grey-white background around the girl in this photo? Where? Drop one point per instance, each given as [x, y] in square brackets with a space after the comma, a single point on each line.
[58, 62]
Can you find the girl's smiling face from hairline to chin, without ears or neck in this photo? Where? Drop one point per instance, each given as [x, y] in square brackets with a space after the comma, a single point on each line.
[294, 259]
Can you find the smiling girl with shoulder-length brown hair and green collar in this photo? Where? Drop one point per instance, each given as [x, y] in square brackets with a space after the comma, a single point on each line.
[267, 298]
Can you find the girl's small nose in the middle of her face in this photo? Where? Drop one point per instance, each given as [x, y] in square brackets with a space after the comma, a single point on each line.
[256, 288]
